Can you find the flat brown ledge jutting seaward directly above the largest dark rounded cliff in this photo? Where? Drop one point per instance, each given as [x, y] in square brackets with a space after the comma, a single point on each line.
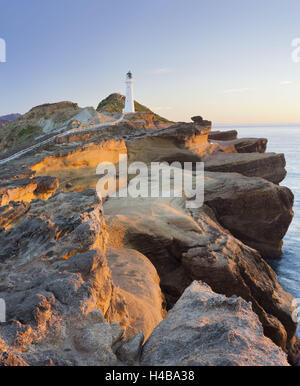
[270, 166]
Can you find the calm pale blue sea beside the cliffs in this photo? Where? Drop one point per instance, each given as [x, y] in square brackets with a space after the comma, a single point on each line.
[284, 139]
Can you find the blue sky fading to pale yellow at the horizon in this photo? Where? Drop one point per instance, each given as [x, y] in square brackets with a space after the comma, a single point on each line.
[228, 61]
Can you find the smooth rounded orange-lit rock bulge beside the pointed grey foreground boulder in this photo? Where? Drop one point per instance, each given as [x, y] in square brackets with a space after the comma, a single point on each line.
[139, 285]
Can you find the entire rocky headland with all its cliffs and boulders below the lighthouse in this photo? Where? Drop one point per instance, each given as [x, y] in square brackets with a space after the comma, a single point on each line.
[92, 279]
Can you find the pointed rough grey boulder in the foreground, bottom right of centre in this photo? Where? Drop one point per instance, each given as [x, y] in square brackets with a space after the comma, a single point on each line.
[206, 329]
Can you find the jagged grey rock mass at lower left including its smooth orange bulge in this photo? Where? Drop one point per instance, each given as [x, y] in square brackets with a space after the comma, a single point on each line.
[65, 304]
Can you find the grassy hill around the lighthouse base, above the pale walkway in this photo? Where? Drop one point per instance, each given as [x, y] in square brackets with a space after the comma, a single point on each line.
[47, 120]
